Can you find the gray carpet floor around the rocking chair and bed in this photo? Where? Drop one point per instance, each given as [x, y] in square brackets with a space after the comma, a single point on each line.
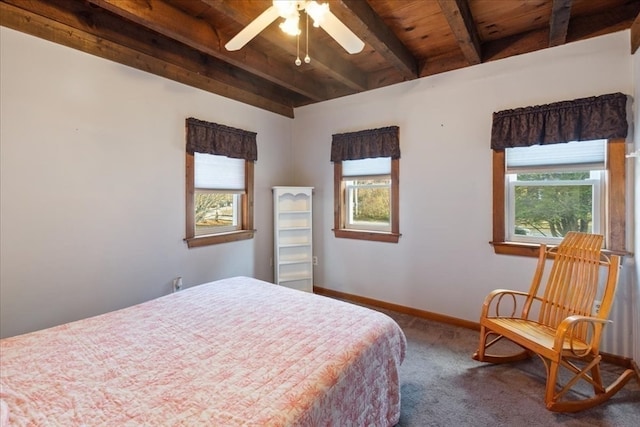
[441, 385]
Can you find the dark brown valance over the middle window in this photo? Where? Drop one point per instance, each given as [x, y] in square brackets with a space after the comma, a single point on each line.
[382, 142]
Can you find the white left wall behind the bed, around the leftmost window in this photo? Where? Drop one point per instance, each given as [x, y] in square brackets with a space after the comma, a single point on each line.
[92, 185]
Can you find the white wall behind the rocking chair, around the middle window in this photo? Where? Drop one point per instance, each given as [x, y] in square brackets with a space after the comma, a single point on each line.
[443, 262]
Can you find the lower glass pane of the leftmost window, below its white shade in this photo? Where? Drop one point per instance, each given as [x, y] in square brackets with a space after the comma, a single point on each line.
[216, 212]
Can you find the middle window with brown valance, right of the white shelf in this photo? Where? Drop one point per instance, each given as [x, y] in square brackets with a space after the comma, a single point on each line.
[366, 184]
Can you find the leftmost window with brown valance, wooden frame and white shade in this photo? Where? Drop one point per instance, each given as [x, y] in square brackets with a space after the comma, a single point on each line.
[219, 185]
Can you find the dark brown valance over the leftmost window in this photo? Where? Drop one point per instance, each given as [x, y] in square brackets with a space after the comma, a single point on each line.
[212, 138]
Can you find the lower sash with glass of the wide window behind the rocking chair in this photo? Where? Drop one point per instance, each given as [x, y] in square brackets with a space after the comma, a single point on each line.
[545, 206]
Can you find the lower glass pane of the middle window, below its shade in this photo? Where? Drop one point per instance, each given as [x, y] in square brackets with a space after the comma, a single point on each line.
[369, 204]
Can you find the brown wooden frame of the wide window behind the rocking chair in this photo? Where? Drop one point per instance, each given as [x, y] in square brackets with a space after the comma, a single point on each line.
[615, 234]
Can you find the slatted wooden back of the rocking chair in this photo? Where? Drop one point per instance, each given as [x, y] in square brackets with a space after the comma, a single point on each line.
[572, 285]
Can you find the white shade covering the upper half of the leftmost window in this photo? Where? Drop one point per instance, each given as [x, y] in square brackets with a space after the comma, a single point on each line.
[218, 172]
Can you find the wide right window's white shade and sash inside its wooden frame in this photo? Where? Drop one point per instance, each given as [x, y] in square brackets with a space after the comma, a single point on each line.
[553, 189]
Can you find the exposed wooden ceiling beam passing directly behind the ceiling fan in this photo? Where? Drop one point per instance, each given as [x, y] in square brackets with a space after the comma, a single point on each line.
[324, 58]
